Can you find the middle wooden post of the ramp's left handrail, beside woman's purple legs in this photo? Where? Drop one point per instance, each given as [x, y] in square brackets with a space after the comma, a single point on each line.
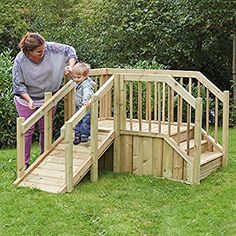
[47, 124]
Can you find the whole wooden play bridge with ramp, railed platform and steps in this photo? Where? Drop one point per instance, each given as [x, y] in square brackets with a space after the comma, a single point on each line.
[166, 123]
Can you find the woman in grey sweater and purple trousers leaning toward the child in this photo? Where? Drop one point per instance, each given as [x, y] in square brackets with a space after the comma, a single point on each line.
[38, 68]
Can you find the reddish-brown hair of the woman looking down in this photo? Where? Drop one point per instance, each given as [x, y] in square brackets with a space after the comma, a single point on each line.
[30, 41]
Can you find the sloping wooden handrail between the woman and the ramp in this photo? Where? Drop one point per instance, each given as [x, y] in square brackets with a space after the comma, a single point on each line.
[47, 106]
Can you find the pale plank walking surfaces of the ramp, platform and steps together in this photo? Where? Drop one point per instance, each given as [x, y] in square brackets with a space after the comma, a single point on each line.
[49, 173]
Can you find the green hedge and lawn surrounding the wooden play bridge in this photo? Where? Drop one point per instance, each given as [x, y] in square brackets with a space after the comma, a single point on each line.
[183, 35]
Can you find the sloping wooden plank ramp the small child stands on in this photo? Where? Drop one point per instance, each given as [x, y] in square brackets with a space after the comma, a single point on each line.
[48, 174]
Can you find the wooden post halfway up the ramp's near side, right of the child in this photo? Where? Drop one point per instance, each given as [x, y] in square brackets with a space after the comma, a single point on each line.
[94, 138]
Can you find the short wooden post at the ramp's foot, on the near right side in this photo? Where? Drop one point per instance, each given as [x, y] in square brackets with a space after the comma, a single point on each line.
[69, 156]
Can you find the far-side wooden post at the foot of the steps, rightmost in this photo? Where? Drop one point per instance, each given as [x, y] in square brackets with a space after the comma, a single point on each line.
[225, 130]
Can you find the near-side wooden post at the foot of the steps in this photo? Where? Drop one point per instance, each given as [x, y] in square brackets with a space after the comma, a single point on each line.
[197, 142]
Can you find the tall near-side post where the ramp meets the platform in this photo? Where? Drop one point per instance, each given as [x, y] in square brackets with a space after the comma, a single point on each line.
[116, 161]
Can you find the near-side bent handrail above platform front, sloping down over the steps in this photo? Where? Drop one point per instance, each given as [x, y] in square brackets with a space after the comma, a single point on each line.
[167, 79]
